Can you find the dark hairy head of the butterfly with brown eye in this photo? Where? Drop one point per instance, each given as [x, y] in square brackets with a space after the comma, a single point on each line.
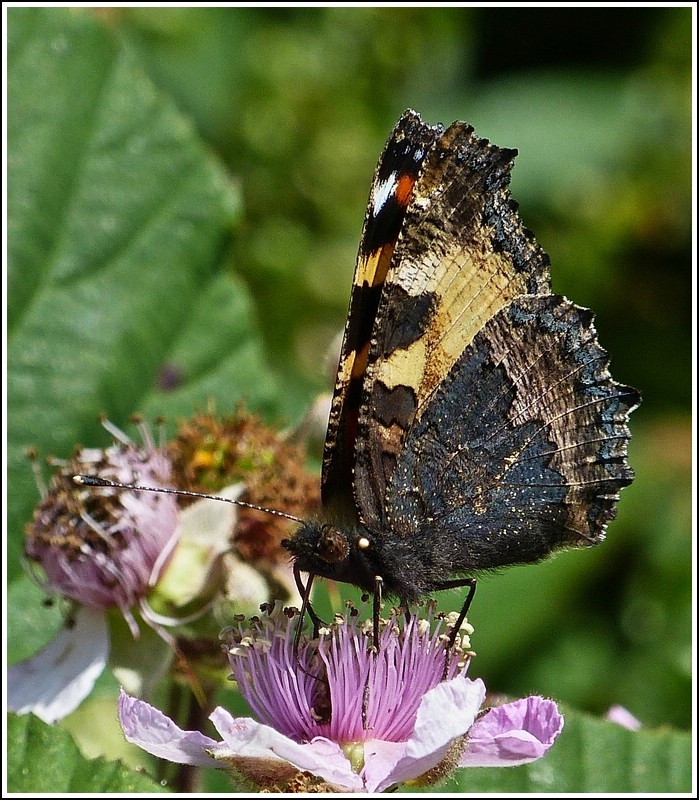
[321, 548]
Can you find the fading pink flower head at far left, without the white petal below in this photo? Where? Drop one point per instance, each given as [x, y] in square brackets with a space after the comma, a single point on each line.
[106, 547]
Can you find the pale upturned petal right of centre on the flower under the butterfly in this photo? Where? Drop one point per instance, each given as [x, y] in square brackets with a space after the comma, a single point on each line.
[445, 713]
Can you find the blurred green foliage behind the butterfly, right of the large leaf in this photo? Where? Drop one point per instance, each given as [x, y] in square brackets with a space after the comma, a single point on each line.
[297, 103]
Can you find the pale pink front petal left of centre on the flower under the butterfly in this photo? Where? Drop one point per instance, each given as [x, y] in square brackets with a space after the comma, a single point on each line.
[244, 737]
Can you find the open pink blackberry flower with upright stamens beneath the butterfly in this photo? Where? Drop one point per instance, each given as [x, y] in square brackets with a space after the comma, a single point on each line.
[335, 715]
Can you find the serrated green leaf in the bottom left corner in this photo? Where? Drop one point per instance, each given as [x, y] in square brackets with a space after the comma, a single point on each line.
[42, 758]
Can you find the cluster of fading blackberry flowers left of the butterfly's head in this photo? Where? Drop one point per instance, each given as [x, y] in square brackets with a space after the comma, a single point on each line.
[142, 554]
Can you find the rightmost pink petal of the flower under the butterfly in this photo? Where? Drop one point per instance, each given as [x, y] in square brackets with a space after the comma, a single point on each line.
[513, 734]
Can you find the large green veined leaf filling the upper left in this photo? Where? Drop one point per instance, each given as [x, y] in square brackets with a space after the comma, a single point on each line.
[117, 221]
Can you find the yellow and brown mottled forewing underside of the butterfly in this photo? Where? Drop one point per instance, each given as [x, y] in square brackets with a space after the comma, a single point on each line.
[462, 255]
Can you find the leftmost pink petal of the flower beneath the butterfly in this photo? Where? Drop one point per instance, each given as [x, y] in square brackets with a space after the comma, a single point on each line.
[157, 734]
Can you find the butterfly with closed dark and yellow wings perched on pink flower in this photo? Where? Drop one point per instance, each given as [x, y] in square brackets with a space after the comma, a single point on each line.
[474, 422]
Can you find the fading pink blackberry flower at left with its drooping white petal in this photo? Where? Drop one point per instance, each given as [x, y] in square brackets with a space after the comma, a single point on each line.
[101, 549]
